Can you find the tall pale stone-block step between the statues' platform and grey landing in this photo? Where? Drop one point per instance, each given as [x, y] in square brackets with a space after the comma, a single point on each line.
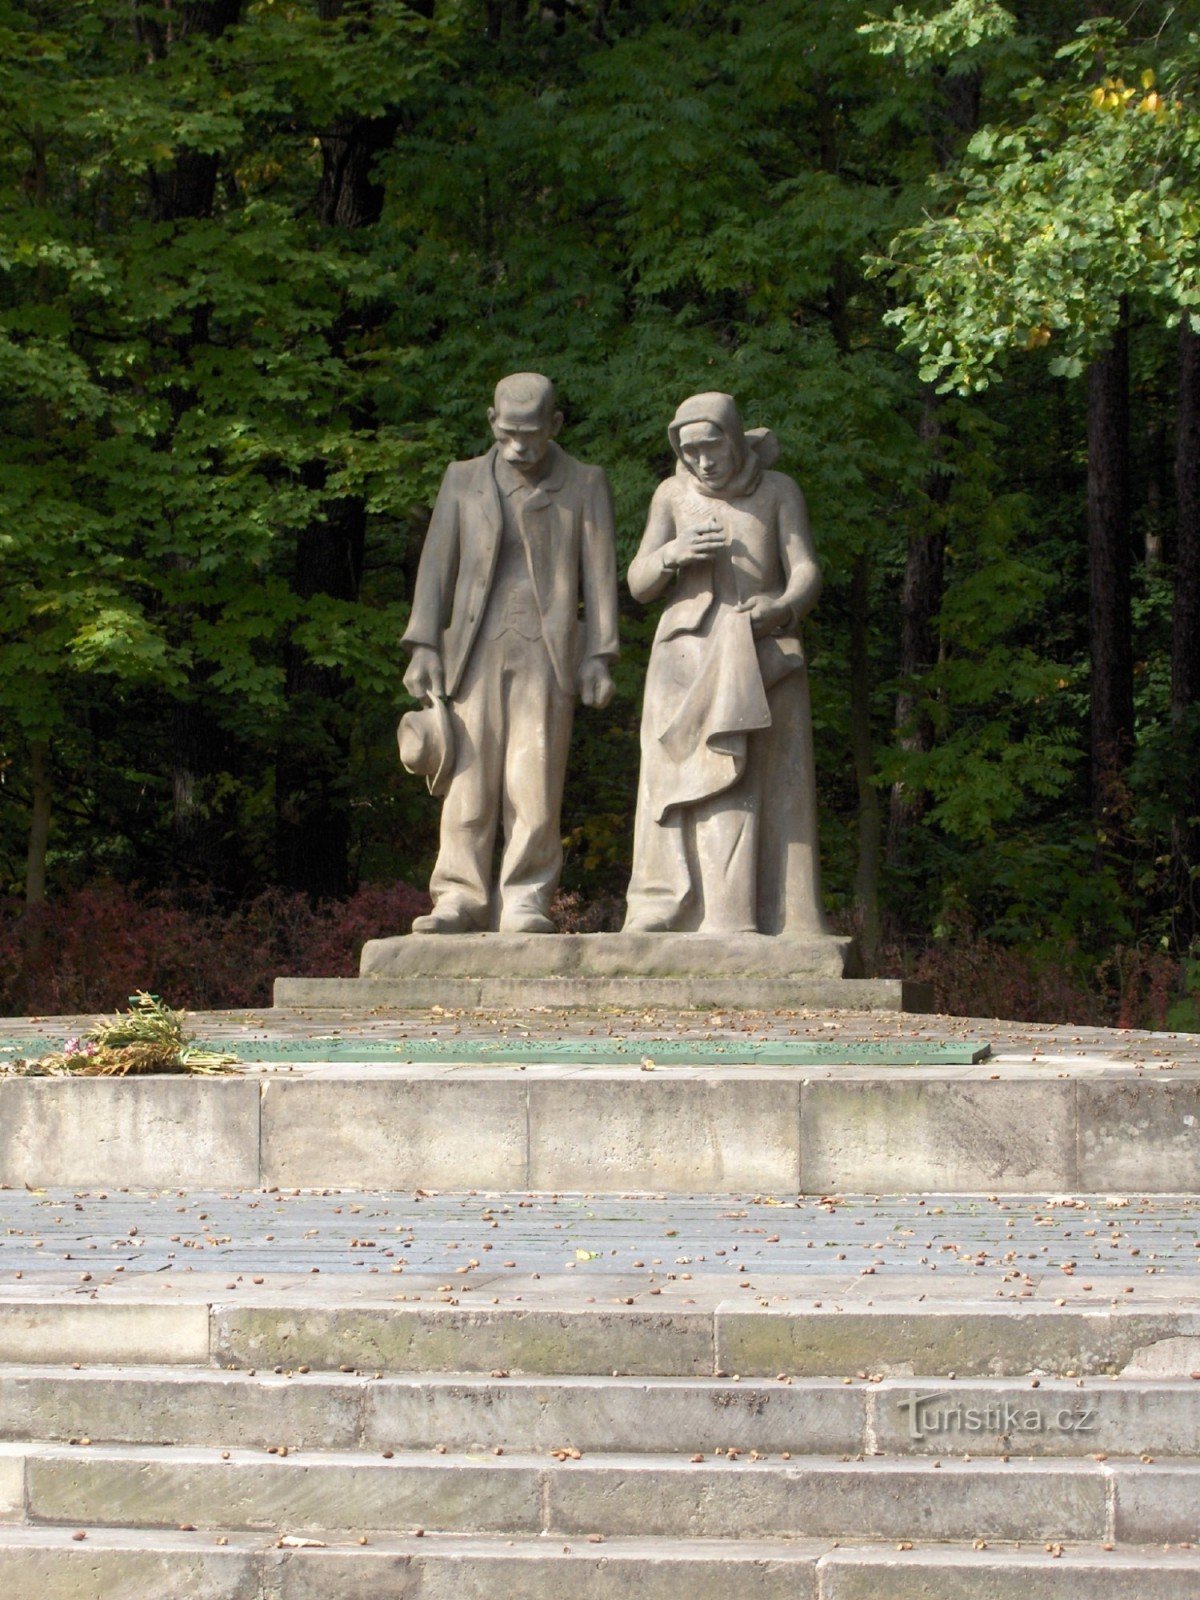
[1001, 1127]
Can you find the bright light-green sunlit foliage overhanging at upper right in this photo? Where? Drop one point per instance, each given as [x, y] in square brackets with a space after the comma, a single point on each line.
[1084, 198]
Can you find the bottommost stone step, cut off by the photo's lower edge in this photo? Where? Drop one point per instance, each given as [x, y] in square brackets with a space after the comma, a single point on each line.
[118, 1564]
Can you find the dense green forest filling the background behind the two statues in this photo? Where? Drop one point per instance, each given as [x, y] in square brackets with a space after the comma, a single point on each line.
[262, 263]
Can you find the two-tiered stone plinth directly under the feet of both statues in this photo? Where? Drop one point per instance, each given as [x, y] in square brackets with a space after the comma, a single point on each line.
[678, 970]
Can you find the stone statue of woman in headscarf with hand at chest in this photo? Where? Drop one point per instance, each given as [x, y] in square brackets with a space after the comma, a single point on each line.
[727, 838]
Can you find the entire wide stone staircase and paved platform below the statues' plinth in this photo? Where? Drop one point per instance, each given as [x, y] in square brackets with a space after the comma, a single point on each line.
[372, 1322]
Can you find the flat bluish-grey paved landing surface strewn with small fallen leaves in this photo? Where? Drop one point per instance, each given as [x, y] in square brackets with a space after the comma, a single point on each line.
[1020, 1246]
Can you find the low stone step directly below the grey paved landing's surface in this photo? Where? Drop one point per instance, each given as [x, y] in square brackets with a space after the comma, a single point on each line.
[548, 1330]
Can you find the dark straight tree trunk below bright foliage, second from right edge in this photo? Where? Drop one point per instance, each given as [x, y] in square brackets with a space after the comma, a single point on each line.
[1110, 586]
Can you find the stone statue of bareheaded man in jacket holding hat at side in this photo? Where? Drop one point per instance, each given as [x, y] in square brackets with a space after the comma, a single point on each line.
[521, 540]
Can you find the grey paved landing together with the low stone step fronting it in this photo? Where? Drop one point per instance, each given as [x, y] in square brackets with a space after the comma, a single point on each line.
[588, 1284]
